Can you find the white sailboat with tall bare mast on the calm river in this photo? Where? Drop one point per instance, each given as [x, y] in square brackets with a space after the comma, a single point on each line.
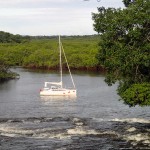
[56, 88]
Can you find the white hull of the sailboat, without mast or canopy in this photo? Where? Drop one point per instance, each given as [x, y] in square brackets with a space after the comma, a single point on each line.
[62, 92]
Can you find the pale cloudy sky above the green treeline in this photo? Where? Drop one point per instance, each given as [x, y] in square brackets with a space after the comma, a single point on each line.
[51, 17]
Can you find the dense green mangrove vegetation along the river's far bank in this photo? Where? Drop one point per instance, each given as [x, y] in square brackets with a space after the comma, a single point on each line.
[41, 52]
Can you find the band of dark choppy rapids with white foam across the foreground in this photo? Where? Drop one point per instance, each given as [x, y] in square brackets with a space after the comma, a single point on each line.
[70, 128]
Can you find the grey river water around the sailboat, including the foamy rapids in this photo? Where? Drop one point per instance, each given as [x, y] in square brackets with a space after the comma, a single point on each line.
[94, 120]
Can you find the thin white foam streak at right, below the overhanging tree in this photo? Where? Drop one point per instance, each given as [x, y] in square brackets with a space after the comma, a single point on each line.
[132, 120]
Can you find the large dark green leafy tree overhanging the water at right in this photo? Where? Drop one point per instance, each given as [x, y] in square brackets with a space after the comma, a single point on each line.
[125, 49]
